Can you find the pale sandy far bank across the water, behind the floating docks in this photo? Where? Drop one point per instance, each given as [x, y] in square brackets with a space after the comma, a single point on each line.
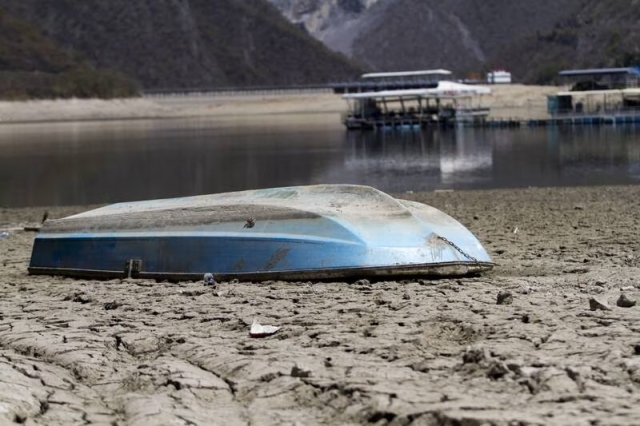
[506, 101]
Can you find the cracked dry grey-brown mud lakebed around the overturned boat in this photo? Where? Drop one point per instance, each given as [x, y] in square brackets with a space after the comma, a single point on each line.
[417, 352]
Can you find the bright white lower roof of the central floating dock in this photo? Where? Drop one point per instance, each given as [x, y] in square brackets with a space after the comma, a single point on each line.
[445, 89]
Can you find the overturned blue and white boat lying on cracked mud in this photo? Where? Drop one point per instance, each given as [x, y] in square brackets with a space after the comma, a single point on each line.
[295, 233]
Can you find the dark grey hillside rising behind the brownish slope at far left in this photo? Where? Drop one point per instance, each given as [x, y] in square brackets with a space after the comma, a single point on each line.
[185, 43]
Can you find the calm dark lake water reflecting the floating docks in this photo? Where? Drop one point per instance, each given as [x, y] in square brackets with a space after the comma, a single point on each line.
[103, 162]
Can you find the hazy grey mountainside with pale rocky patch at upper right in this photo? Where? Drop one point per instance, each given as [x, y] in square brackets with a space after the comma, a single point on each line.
[533, 39]
